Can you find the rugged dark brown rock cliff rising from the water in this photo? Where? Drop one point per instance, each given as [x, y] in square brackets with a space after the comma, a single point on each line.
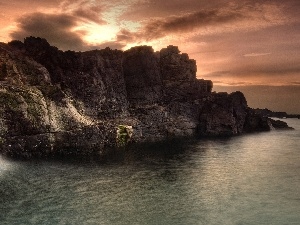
[55, 102]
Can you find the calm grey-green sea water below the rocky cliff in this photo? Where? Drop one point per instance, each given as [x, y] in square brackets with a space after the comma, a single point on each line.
[250, 179]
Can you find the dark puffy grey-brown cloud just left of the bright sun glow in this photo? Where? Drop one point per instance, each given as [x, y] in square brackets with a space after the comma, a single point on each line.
[57, 29]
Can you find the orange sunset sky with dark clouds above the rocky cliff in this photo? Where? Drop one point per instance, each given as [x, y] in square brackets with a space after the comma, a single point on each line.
[250, 45]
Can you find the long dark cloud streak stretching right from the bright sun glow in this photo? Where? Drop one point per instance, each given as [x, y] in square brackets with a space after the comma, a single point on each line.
[244, 16]
